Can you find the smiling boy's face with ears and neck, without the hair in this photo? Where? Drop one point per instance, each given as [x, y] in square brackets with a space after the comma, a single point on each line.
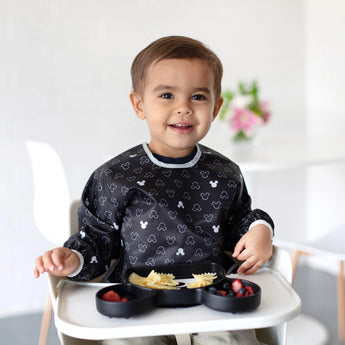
[178, 103]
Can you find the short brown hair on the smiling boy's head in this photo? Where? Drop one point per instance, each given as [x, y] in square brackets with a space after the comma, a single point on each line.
[174, 47]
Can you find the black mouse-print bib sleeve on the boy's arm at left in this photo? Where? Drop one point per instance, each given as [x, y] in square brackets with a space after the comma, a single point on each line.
[98, 239]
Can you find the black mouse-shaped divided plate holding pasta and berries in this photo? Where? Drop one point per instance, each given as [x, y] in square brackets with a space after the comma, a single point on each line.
[143, 300]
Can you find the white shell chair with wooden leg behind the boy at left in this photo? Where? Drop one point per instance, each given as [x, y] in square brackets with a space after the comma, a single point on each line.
[51, 205]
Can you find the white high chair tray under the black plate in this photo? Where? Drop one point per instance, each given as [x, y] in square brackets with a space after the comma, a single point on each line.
[76, 314]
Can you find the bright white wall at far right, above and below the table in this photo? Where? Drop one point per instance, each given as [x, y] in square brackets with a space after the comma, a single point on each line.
[325, 90]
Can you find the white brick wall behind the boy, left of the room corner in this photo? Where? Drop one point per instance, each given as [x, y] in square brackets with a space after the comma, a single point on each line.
[64, 80]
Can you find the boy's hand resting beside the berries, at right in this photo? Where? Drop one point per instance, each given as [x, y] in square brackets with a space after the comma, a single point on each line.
[254, 248]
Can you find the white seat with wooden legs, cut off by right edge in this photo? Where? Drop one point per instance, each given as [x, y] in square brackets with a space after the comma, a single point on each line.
[331, 246]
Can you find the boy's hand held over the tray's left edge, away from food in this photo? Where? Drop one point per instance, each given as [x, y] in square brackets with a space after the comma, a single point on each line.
[59, 261]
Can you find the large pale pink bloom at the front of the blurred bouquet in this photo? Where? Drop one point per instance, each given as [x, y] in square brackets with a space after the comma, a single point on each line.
[244, 120]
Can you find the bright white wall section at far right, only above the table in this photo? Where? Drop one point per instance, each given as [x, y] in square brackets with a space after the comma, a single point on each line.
[325, 52]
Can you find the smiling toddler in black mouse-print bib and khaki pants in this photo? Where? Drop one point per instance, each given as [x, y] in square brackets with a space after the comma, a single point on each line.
[171, 200]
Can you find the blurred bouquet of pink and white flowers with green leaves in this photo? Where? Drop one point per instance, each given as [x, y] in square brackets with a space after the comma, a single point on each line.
[243, 110]
